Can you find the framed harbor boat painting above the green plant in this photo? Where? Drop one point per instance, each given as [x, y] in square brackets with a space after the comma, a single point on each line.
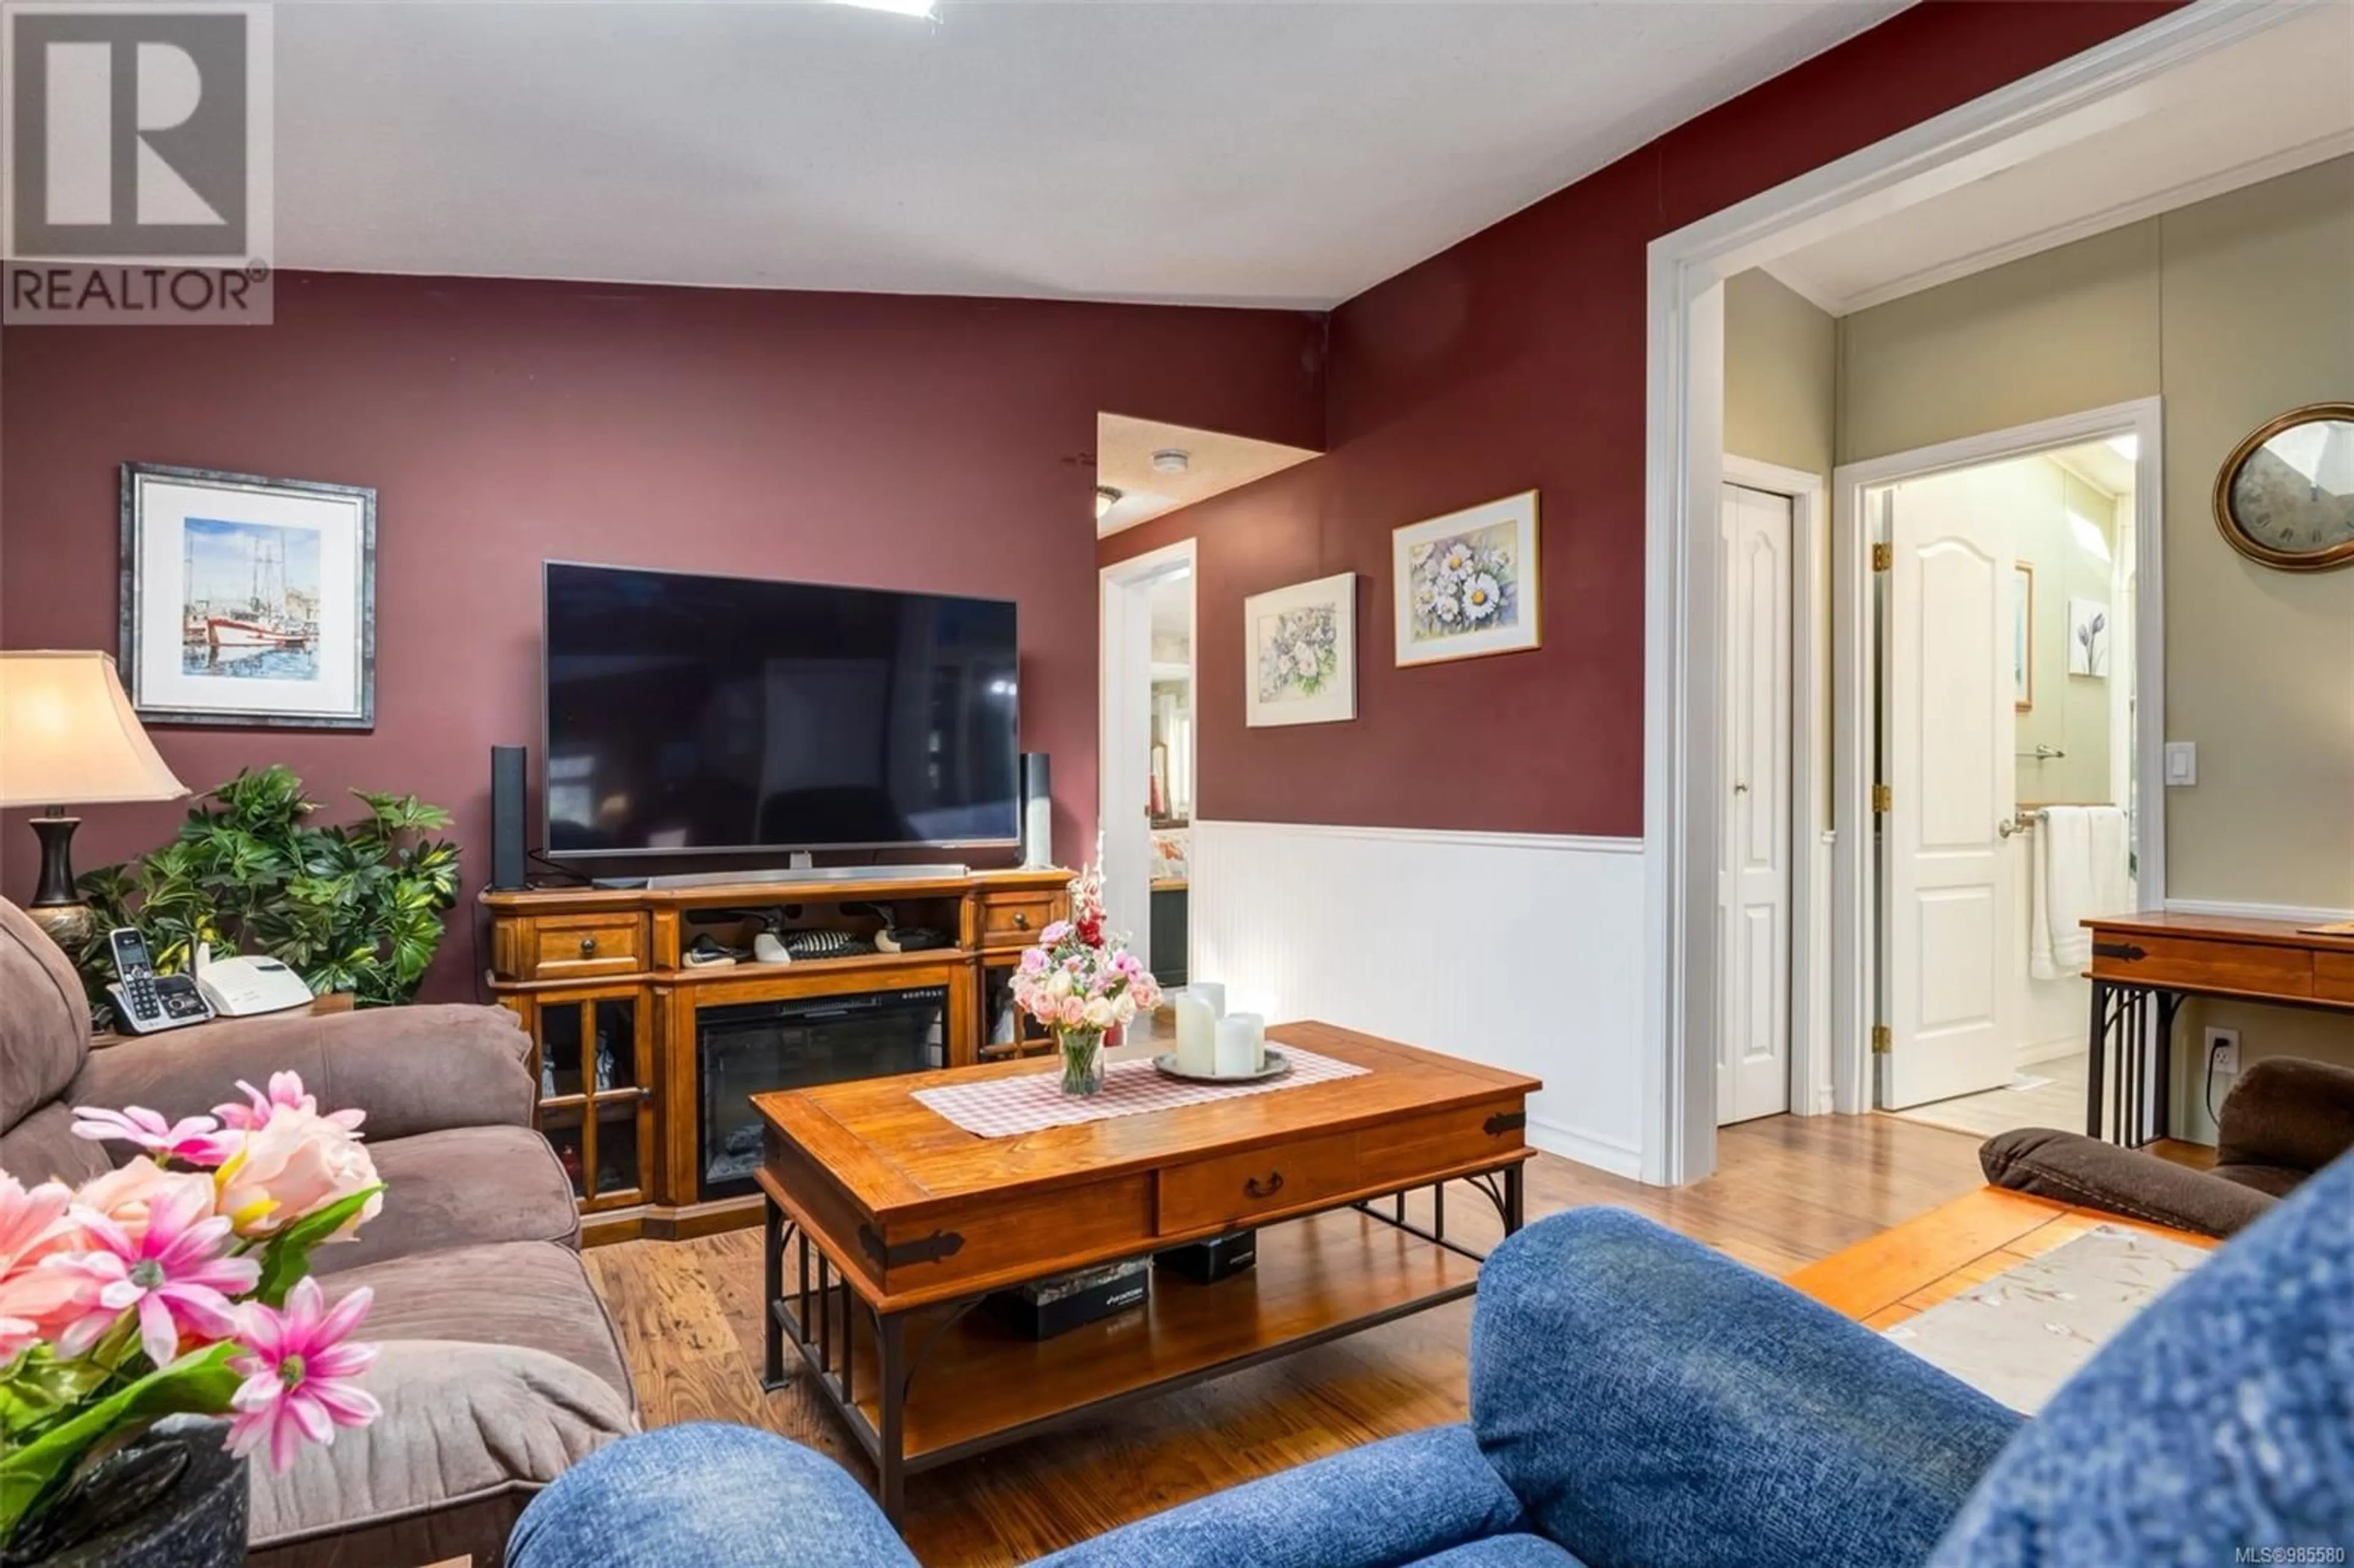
[248, 602]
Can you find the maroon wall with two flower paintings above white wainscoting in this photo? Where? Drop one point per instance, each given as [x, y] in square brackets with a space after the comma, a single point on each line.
[1515, 361]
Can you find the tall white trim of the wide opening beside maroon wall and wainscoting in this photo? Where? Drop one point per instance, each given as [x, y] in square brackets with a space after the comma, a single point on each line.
[1684, 467]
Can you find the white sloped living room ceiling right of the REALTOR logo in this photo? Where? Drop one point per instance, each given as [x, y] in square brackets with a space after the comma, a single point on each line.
[1181, 152]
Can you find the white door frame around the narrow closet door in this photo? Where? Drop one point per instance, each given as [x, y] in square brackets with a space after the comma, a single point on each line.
[1809, 790]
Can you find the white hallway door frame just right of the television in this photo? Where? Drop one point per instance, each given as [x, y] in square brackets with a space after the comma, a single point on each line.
[1124, 719]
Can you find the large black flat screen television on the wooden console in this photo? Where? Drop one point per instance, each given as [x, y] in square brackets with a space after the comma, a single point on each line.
[722, 715]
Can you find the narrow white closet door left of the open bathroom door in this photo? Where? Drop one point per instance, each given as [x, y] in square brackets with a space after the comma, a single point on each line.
[1753, 1054]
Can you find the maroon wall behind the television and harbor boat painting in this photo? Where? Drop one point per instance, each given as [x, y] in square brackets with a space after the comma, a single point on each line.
[863, 439]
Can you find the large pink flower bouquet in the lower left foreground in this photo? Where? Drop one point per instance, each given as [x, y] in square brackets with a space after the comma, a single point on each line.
[180, 1284]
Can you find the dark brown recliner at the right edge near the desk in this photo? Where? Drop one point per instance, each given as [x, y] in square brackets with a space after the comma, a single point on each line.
[2280, 1124]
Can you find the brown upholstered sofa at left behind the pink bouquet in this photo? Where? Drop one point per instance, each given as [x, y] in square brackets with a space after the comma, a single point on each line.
[500, 1367]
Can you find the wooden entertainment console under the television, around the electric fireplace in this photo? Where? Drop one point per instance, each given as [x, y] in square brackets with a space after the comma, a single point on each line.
[592, 969]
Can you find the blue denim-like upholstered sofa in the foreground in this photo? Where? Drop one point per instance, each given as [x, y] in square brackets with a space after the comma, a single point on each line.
[1640, 1402]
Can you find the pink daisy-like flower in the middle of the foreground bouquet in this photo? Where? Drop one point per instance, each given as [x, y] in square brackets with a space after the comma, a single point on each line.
[175, 1275]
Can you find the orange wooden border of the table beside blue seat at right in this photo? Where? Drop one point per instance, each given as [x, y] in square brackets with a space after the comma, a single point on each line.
[1910, 1268]
